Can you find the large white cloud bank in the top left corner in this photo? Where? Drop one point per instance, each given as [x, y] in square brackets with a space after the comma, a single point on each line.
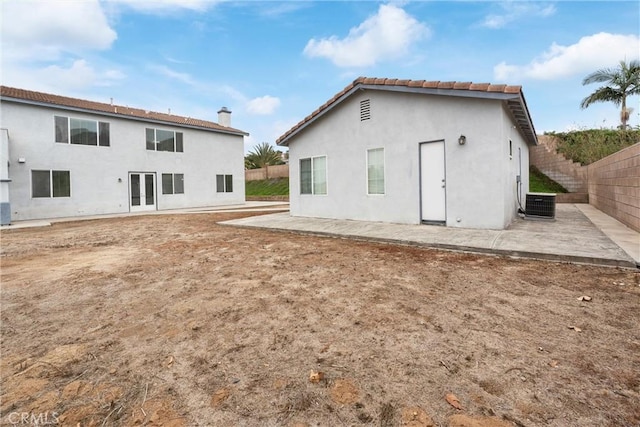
[43, 43]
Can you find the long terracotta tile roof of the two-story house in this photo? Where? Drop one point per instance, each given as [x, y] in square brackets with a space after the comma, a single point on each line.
[28, 96]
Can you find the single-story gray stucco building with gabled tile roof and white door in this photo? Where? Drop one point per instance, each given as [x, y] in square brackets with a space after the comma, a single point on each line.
[413, 151]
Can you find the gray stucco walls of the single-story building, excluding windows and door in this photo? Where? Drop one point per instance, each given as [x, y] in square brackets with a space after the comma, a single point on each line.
[480, 177]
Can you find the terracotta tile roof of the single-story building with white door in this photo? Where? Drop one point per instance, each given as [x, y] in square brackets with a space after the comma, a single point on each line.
[515, 103]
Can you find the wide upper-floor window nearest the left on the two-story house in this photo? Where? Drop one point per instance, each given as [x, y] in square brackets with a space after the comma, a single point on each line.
[81, 131]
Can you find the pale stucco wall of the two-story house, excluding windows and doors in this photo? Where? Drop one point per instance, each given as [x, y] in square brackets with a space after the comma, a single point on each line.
[99, 175]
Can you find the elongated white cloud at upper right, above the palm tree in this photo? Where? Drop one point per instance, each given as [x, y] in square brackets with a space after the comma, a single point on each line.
[590, 53]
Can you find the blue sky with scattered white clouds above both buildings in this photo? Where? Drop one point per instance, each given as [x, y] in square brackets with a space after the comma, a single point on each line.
[272, 63]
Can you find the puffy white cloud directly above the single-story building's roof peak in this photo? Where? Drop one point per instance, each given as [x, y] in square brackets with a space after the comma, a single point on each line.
[386, 35]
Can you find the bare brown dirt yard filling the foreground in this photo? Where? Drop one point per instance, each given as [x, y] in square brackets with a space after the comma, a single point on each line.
[178, 321]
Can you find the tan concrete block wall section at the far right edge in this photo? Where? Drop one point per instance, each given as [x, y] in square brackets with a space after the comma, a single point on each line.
[614, 186]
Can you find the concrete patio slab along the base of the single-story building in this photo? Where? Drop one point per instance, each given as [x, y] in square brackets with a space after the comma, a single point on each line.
[570, 237]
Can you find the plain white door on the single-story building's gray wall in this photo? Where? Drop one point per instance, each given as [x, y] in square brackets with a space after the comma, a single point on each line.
[432, 182]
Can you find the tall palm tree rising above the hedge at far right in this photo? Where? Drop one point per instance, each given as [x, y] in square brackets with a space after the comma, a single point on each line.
[622, 82]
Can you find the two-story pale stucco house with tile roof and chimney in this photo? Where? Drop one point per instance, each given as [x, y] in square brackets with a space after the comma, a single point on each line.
[65, 157]
